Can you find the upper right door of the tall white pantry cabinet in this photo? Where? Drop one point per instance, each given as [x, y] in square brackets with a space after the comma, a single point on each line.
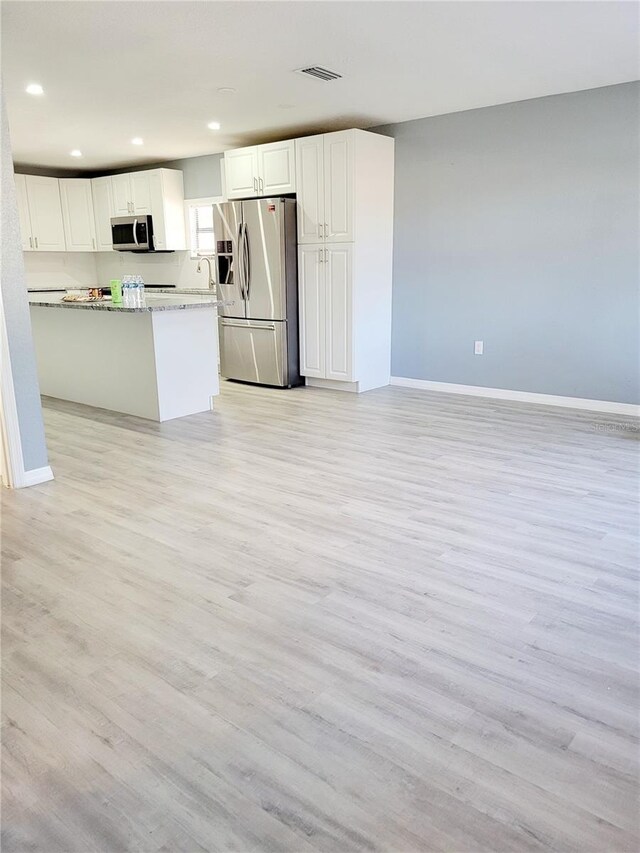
[338, 184]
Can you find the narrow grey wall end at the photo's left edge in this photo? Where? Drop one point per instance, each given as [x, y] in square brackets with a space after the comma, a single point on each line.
[18, 321]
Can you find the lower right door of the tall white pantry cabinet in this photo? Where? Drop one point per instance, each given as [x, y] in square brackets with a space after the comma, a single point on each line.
[339, 312]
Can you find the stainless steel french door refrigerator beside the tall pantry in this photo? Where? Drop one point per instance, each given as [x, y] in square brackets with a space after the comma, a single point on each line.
[256, 263]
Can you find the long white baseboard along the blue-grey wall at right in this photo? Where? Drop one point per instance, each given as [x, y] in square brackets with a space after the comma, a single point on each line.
[520, 396]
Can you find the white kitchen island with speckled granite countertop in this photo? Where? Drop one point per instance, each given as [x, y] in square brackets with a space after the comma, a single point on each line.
[158, 361]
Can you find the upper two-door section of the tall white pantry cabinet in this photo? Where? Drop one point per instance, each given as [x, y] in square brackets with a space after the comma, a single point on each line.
[326, 177]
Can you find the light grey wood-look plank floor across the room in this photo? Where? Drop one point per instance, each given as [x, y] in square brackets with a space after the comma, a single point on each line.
[313, 621]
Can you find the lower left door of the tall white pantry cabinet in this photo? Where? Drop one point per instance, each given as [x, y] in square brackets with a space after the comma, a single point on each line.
[311, 290]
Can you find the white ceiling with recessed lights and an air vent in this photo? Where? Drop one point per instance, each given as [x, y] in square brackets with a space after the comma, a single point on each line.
[115, 70]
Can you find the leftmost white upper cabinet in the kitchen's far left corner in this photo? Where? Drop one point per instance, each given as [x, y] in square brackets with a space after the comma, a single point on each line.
[40, 212]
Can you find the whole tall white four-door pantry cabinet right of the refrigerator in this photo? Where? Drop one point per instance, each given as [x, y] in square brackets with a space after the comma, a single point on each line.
[344, 184]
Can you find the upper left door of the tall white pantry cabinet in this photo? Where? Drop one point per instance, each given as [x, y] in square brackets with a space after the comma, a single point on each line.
[310, 188]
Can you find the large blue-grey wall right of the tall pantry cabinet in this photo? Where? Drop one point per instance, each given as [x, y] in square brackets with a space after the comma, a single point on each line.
[519, 225]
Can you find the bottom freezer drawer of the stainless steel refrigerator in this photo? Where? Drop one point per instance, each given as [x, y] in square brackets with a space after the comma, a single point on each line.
[254, 351]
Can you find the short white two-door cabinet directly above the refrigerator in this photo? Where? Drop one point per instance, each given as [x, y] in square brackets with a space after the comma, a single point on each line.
[260, 170]
